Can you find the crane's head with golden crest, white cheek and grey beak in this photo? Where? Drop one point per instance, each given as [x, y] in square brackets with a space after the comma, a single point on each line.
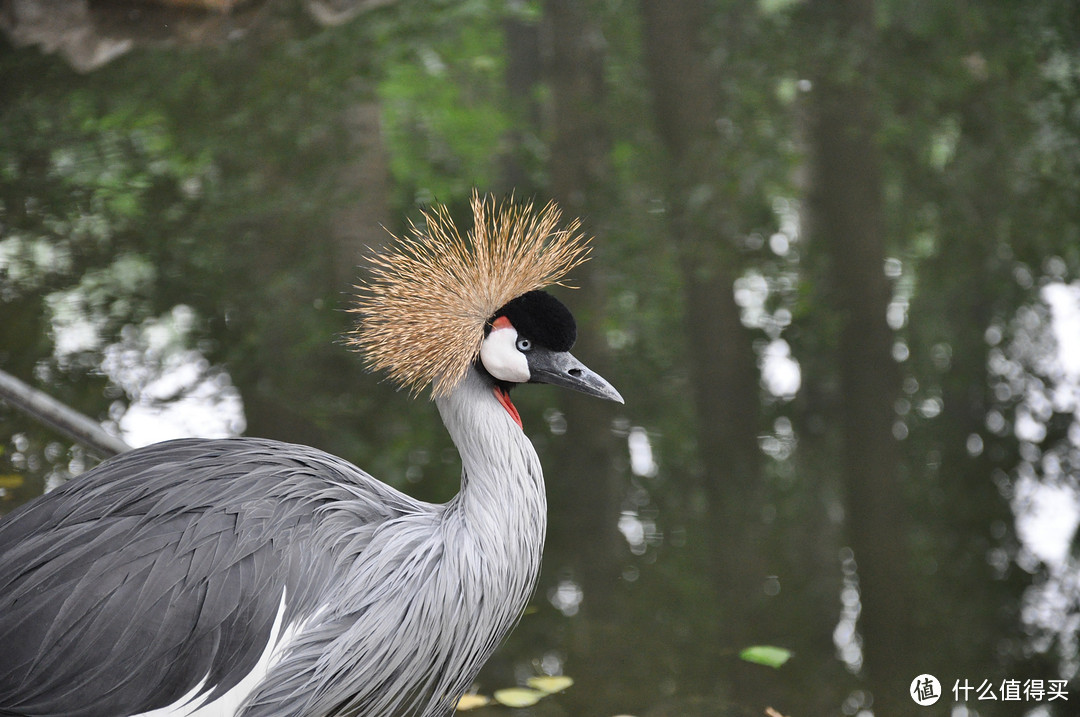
[438, 305]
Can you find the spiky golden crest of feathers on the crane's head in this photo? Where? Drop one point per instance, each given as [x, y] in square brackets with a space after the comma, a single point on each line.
[424, 307]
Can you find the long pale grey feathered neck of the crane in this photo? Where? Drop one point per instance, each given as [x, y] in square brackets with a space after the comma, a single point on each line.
[503, 504]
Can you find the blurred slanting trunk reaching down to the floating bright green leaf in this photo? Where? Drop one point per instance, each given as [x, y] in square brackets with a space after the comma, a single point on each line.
[686, 93]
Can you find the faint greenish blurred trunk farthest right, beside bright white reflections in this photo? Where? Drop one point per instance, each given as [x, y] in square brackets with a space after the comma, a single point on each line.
[951, 317]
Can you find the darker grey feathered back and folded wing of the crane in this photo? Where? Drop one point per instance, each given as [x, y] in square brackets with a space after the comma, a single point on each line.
[170, 566]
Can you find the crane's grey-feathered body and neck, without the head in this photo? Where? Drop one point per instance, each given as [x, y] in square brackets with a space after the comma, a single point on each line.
[166, 569]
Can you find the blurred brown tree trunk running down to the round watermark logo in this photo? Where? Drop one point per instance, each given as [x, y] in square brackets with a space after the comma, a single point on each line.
[847, 223]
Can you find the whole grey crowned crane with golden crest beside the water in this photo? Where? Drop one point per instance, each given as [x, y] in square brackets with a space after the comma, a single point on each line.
[255, 578]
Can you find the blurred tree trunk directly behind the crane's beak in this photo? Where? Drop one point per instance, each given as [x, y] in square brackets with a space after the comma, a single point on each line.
[586, 492]
